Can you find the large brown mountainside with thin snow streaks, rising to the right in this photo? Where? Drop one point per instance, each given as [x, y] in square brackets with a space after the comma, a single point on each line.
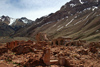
[78, 19]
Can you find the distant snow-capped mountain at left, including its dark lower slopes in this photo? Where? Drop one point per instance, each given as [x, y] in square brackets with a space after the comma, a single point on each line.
[8, 25]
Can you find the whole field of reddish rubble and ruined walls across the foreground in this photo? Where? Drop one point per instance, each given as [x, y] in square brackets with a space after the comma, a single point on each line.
[59, 52]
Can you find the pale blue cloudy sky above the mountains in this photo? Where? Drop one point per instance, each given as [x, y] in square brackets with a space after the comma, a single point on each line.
[31, 9]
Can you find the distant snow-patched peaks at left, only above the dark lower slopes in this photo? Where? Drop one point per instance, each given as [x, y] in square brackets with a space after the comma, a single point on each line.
[15, 23]
